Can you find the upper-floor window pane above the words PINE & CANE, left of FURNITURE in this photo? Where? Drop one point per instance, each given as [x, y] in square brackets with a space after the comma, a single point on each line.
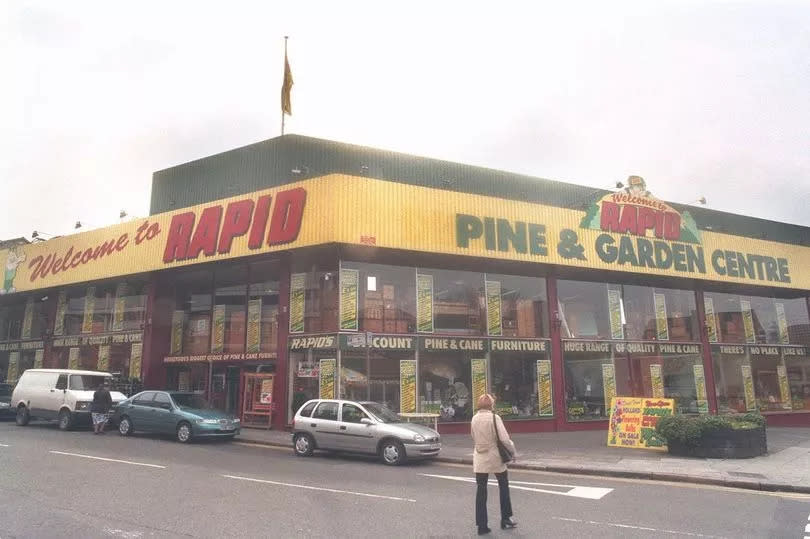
[458, 301]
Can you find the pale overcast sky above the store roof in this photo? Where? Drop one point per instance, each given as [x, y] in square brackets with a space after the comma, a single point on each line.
[701, 98]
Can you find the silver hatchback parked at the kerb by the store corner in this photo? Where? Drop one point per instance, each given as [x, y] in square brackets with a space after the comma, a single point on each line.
[361, 427]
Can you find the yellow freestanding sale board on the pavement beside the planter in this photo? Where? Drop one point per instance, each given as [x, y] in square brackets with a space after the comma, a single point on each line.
[633, 420]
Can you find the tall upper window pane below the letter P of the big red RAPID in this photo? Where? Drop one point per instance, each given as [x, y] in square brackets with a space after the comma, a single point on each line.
[230, 310]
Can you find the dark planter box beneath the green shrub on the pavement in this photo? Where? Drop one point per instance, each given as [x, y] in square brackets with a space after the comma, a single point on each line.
[724, 444]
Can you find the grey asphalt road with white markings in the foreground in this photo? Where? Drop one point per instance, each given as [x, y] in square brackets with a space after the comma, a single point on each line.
[154, 487]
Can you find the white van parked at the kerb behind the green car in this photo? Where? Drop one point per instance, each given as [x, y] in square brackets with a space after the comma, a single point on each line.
[61, 394]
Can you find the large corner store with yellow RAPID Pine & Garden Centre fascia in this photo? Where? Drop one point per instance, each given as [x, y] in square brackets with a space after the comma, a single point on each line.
[299, 267]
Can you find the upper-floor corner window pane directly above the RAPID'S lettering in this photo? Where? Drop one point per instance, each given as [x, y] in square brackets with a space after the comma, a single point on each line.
[319, 297]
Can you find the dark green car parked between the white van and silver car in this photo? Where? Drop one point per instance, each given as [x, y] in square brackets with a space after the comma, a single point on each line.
[184, 415]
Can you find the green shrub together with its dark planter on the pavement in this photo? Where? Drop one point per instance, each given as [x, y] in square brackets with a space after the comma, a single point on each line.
[714, 436]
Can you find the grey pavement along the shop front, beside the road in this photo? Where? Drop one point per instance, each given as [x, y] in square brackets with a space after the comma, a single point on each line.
[786, 467]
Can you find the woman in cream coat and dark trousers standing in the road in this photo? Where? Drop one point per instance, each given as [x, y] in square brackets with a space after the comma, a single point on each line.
[487, 460]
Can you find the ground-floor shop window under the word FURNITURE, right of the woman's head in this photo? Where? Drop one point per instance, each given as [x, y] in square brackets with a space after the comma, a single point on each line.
[515, 386]
